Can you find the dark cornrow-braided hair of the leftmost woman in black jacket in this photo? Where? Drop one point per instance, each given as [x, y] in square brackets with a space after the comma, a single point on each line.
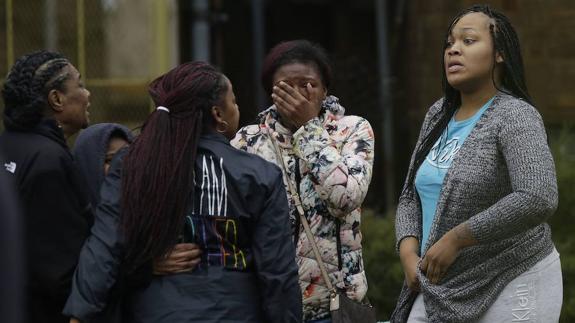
[26, 88]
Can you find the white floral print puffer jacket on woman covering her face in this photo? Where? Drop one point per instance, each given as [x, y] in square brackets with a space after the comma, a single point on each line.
[330, 161]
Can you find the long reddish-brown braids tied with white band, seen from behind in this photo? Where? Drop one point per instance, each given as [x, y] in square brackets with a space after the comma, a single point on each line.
[157, 180]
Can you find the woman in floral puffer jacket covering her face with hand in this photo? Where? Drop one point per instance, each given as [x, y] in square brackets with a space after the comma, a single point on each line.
[329, 159]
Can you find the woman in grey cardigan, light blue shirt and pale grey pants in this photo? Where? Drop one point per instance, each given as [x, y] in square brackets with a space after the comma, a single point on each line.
[471, 221]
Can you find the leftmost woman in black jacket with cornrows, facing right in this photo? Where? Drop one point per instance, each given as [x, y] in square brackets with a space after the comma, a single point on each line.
[45, 103]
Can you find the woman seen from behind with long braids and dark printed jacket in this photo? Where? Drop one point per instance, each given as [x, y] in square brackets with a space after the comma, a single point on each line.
[182, 181]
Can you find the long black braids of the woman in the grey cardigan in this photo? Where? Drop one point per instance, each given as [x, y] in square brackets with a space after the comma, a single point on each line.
[505, 43]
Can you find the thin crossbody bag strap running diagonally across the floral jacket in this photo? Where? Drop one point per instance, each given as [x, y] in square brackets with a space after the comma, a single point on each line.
[301, 213]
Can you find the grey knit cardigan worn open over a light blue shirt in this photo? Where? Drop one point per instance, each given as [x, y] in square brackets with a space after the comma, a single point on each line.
[503, 184]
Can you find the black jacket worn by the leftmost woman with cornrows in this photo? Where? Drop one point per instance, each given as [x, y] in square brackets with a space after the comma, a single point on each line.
[57, 214]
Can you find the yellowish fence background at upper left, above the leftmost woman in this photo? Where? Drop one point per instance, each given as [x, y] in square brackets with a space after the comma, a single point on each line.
[118, 46]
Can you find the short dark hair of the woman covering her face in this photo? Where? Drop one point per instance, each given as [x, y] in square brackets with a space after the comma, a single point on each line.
[296, 51]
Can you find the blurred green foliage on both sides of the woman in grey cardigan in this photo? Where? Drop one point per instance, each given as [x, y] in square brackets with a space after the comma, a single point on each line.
[384, 272]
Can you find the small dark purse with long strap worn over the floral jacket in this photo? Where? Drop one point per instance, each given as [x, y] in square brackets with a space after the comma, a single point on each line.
[342, 308]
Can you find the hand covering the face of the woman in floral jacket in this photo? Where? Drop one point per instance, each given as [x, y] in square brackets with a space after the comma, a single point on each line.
[296, 106]
